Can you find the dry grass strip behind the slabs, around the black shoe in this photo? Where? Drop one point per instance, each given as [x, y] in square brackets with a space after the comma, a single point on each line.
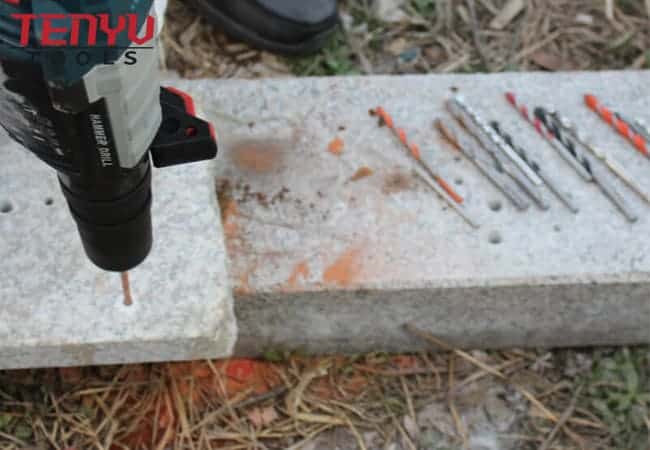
[433, 36]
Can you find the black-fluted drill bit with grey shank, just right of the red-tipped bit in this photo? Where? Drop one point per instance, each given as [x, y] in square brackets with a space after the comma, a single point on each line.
[600, 179]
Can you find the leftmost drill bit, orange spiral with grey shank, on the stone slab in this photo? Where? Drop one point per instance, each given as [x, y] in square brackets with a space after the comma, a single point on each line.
[442, 188]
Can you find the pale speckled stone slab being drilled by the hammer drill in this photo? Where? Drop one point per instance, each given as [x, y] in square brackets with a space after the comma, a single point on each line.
[57, 309]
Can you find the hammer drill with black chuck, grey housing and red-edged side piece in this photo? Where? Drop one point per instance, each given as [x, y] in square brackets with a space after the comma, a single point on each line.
[79, 88]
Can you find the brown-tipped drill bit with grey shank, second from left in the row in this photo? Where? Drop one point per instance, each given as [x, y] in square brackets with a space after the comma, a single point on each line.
[467, 146]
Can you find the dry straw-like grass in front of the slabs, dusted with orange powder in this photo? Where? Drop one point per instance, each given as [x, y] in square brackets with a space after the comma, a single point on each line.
[378, 399]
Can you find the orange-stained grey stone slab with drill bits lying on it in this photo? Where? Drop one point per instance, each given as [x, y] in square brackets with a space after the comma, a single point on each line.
[324, 261]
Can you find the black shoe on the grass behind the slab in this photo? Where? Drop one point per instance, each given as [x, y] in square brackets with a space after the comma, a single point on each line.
[291, 27]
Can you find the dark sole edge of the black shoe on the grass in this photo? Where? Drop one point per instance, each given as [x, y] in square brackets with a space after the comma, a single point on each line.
[238, 31]
